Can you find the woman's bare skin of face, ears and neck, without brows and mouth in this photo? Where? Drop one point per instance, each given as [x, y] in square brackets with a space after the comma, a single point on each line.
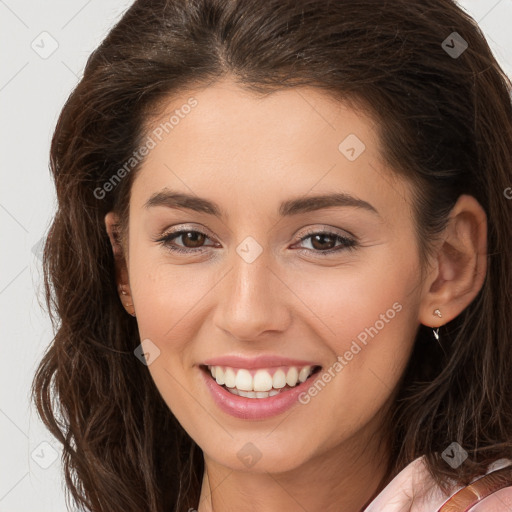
[248, 154]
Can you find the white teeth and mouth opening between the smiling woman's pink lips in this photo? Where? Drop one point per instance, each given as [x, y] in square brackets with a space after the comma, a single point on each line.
[262, 382]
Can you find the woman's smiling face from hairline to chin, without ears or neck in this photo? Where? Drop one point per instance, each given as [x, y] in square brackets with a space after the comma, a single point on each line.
[304, 310]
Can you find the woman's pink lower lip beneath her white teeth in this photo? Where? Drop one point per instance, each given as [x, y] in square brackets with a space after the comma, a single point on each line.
[254, 408]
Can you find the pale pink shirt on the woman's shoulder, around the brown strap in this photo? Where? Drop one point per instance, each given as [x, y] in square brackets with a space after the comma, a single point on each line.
[413, 490]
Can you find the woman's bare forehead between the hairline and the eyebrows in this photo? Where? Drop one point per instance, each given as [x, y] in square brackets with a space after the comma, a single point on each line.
[245, 148]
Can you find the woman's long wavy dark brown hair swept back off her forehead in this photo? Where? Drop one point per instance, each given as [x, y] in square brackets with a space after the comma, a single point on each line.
[445, 124]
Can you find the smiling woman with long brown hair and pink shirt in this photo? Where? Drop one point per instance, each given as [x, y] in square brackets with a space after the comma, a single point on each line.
[281, 262]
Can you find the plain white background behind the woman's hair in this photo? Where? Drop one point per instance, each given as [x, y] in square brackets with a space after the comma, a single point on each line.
[32, 92]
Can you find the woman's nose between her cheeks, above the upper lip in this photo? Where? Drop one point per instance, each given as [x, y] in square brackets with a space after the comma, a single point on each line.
[252, 299]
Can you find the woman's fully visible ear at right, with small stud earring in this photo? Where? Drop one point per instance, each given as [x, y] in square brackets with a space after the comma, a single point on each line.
[460, 265]
